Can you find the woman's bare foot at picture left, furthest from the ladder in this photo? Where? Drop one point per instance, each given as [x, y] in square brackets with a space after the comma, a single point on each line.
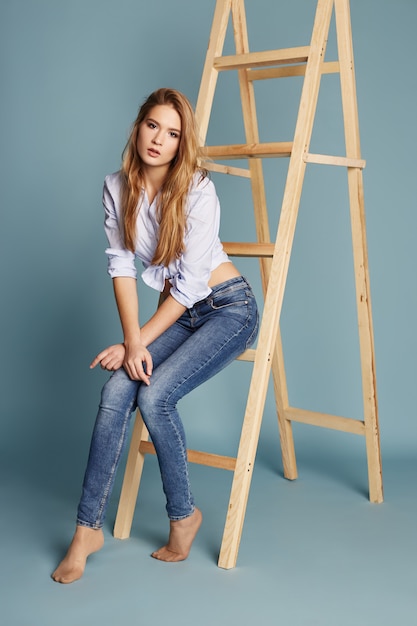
[85, 542]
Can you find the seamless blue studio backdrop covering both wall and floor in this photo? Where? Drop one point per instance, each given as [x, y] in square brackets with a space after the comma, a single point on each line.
[72, 75]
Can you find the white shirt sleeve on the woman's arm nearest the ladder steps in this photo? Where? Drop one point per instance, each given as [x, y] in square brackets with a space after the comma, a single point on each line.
[190, 283]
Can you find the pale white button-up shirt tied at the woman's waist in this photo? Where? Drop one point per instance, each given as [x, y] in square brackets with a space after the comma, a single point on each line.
[189, 274]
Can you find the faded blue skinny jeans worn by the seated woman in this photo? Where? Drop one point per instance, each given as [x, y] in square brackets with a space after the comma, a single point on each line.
[202, 342]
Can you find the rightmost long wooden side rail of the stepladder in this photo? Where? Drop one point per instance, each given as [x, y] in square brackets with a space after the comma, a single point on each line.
[360, 253]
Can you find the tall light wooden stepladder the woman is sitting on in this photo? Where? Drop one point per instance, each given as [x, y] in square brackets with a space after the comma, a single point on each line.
[308, 61]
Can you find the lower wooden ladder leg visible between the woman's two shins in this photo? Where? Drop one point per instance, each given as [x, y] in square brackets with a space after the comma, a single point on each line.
[131, 481]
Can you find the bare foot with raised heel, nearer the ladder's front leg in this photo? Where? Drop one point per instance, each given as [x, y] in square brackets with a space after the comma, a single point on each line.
[181, 536]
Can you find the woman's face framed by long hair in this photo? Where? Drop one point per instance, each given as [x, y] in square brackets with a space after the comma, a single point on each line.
[159, 137]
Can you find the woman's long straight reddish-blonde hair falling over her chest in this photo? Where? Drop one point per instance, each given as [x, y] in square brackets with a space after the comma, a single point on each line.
[173, 193]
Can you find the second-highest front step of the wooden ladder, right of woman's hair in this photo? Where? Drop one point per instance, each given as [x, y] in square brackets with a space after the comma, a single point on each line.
[245, 151]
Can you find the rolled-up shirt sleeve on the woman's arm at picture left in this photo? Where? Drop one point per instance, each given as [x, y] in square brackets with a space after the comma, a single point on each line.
[120, 261]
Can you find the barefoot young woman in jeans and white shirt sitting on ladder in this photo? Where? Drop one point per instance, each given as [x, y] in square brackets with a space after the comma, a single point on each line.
[161, 208]
